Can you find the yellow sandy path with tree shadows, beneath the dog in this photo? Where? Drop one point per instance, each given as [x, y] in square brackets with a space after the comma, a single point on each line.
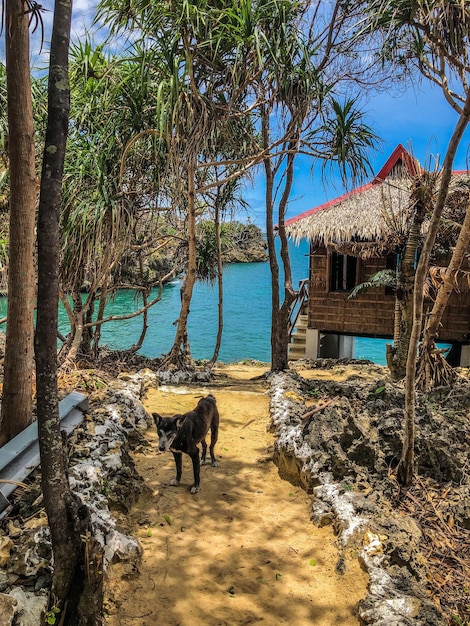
[242, 551]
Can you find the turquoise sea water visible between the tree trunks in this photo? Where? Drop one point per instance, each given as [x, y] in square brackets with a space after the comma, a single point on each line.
[247, 316]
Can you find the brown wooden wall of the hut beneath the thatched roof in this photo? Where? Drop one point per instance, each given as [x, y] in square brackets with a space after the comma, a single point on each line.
[371, 313]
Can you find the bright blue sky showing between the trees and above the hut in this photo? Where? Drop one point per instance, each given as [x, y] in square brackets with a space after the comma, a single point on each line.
[419, 118]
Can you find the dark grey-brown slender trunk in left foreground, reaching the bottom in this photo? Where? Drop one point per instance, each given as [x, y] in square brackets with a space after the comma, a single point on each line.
[57, 496]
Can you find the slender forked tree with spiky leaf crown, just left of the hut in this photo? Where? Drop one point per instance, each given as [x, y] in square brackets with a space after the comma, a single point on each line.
[300, 76]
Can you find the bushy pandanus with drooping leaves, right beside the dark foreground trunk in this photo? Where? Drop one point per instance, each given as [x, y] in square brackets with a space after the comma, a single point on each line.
[108, 209]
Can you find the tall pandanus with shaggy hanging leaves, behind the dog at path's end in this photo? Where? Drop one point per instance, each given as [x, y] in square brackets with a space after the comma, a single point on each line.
[199, 112]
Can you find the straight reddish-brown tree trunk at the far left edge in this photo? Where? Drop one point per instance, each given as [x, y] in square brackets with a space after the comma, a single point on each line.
[16, 412]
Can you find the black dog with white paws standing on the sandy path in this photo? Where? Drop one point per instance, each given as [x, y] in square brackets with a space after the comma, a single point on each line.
[182, 433]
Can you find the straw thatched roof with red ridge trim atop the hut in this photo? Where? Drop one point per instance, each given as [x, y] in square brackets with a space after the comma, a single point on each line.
[367, 220]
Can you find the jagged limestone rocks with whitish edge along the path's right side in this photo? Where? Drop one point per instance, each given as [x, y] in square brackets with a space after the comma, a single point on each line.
[342, 454]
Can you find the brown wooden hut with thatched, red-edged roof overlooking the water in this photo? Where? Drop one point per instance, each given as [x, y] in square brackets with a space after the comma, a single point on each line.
[351, 239]
